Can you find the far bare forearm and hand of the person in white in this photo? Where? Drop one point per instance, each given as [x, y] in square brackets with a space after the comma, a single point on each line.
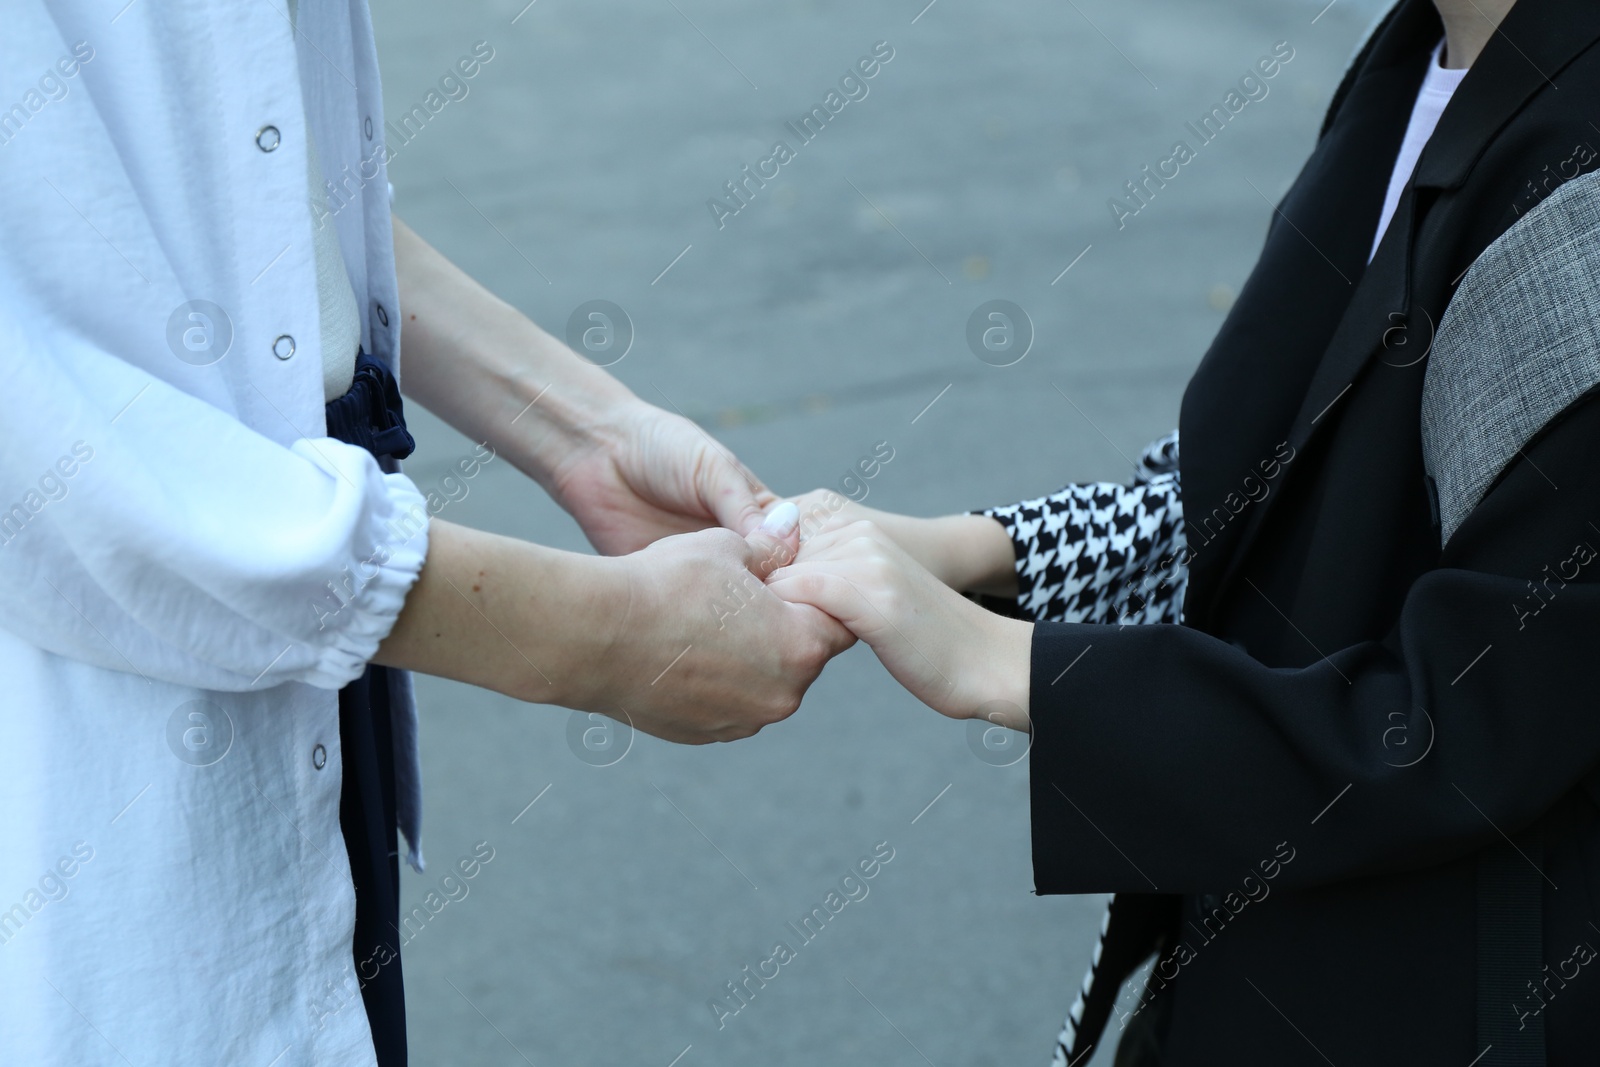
[628, 471]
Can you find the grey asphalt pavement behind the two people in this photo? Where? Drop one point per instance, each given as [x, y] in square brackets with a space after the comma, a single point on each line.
[825, 318]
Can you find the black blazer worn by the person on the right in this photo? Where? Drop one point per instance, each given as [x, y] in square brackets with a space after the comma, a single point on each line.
[1303, 780]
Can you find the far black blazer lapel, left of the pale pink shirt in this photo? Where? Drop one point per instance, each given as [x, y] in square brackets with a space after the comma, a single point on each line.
[1300, 313]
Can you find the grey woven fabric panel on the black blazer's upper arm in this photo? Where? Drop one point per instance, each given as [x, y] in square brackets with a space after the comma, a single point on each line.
[1519, 343]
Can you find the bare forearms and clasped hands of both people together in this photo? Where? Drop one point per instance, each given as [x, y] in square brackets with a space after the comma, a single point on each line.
[647, 633]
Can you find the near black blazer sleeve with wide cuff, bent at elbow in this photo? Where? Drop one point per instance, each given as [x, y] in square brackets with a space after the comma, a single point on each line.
[1167, 759]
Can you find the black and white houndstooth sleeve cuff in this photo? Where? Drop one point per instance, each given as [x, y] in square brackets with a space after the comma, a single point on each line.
[1103, 553]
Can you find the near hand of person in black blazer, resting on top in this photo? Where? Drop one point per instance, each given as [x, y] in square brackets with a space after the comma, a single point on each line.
[954, 657]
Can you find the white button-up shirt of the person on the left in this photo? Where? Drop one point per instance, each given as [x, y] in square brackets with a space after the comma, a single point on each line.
[190, 569]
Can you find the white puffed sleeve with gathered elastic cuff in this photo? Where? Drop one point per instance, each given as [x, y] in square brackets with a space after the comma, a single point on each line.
[166, 538]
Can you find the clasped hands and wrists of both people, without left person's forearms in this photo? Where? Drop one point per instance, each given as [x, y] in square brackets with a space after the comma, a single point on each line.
[727, 628]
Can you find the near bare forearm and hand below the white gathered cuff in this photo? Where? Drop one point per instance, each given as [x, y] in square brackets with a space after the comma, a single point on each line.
[682, 641]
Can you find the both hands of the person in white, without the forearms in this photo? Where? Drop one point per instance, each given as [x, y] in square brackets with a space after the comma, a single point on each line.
[724, 655]
